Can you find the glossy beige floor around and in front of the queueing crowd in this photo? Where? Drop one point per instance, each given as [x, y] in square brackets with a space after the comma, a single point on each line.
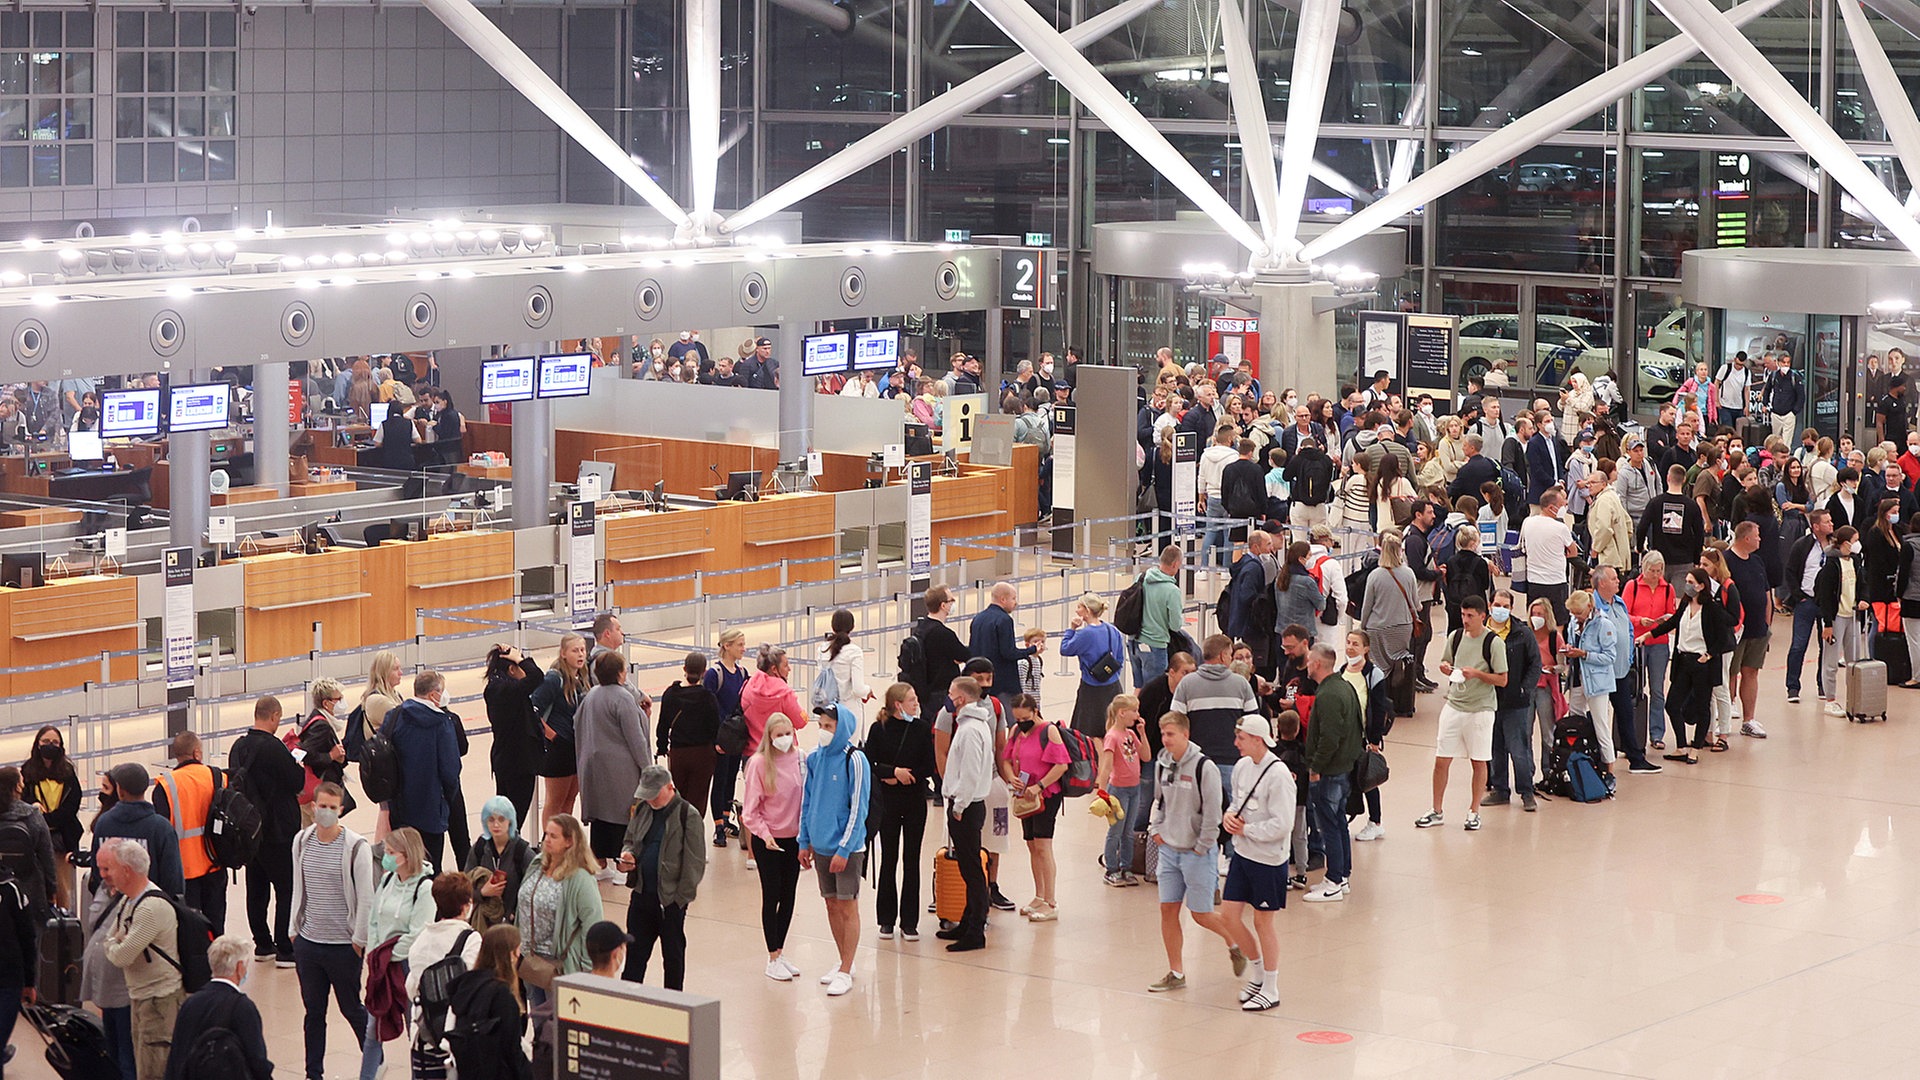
[1583, 941]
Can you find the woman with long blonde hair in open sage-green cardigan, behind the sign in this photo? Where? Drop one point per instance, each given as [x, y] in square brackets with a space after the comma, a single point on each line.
[558, 902]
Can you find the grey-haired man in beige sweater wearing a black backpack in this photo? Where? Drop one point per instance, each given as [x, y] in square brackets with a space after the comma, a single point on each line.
[145, 945]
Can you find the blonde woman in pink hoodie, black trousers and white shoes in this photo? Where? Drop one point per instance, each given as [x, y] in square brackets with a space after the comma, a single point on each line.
[771, 814]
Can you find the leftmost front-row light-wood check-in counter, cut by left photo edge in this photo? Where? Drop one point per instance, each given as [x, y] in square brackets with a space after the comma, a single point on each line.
[68, 620]
